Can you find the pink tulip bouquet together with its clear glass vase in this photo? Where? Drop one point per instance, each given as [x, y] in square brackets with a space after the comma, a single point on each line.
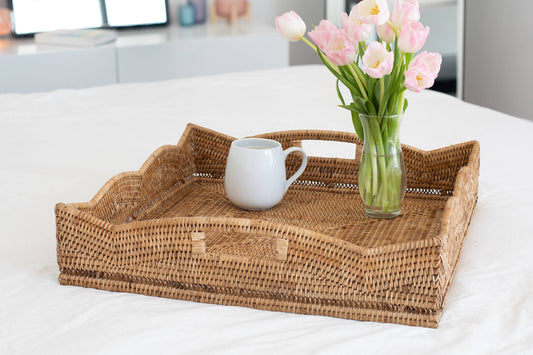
[377, 75]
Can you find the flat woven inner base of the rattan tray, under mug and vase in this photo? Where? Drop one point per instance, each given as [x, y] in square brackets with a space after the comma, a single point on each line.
[337, 212]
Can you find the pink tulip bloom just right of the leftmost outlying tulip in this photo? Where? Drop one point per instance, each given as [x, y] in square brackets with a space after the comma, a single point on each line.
[334, 43]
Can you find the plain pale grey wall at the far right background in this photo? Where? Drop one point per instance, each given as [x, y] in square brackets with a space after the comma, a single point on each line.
[498, 55]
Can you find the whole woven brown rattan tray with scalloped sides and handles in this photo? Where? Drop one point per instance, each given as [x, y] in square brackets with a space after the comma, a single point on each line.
[168, 230]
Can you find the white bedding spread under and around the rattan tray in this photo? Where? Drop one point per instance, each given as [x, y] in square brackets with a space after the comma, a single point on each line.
[64, 145]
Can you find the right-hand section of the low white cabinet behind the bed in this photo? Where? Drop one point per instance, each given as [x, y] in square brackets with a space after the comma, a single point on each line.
[198, 50]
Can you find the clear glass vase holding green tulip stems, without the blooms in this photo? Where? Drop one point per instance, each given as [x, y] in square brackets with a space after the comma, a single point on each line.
[382, 171]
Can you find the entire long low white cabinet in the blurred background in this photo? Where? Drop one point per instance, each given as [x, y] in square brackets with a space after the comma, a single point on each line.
[141, 55]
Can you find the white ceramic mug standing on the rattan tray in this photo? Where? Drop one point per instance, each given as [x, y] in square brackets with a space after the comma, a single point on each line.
[255, 173]
